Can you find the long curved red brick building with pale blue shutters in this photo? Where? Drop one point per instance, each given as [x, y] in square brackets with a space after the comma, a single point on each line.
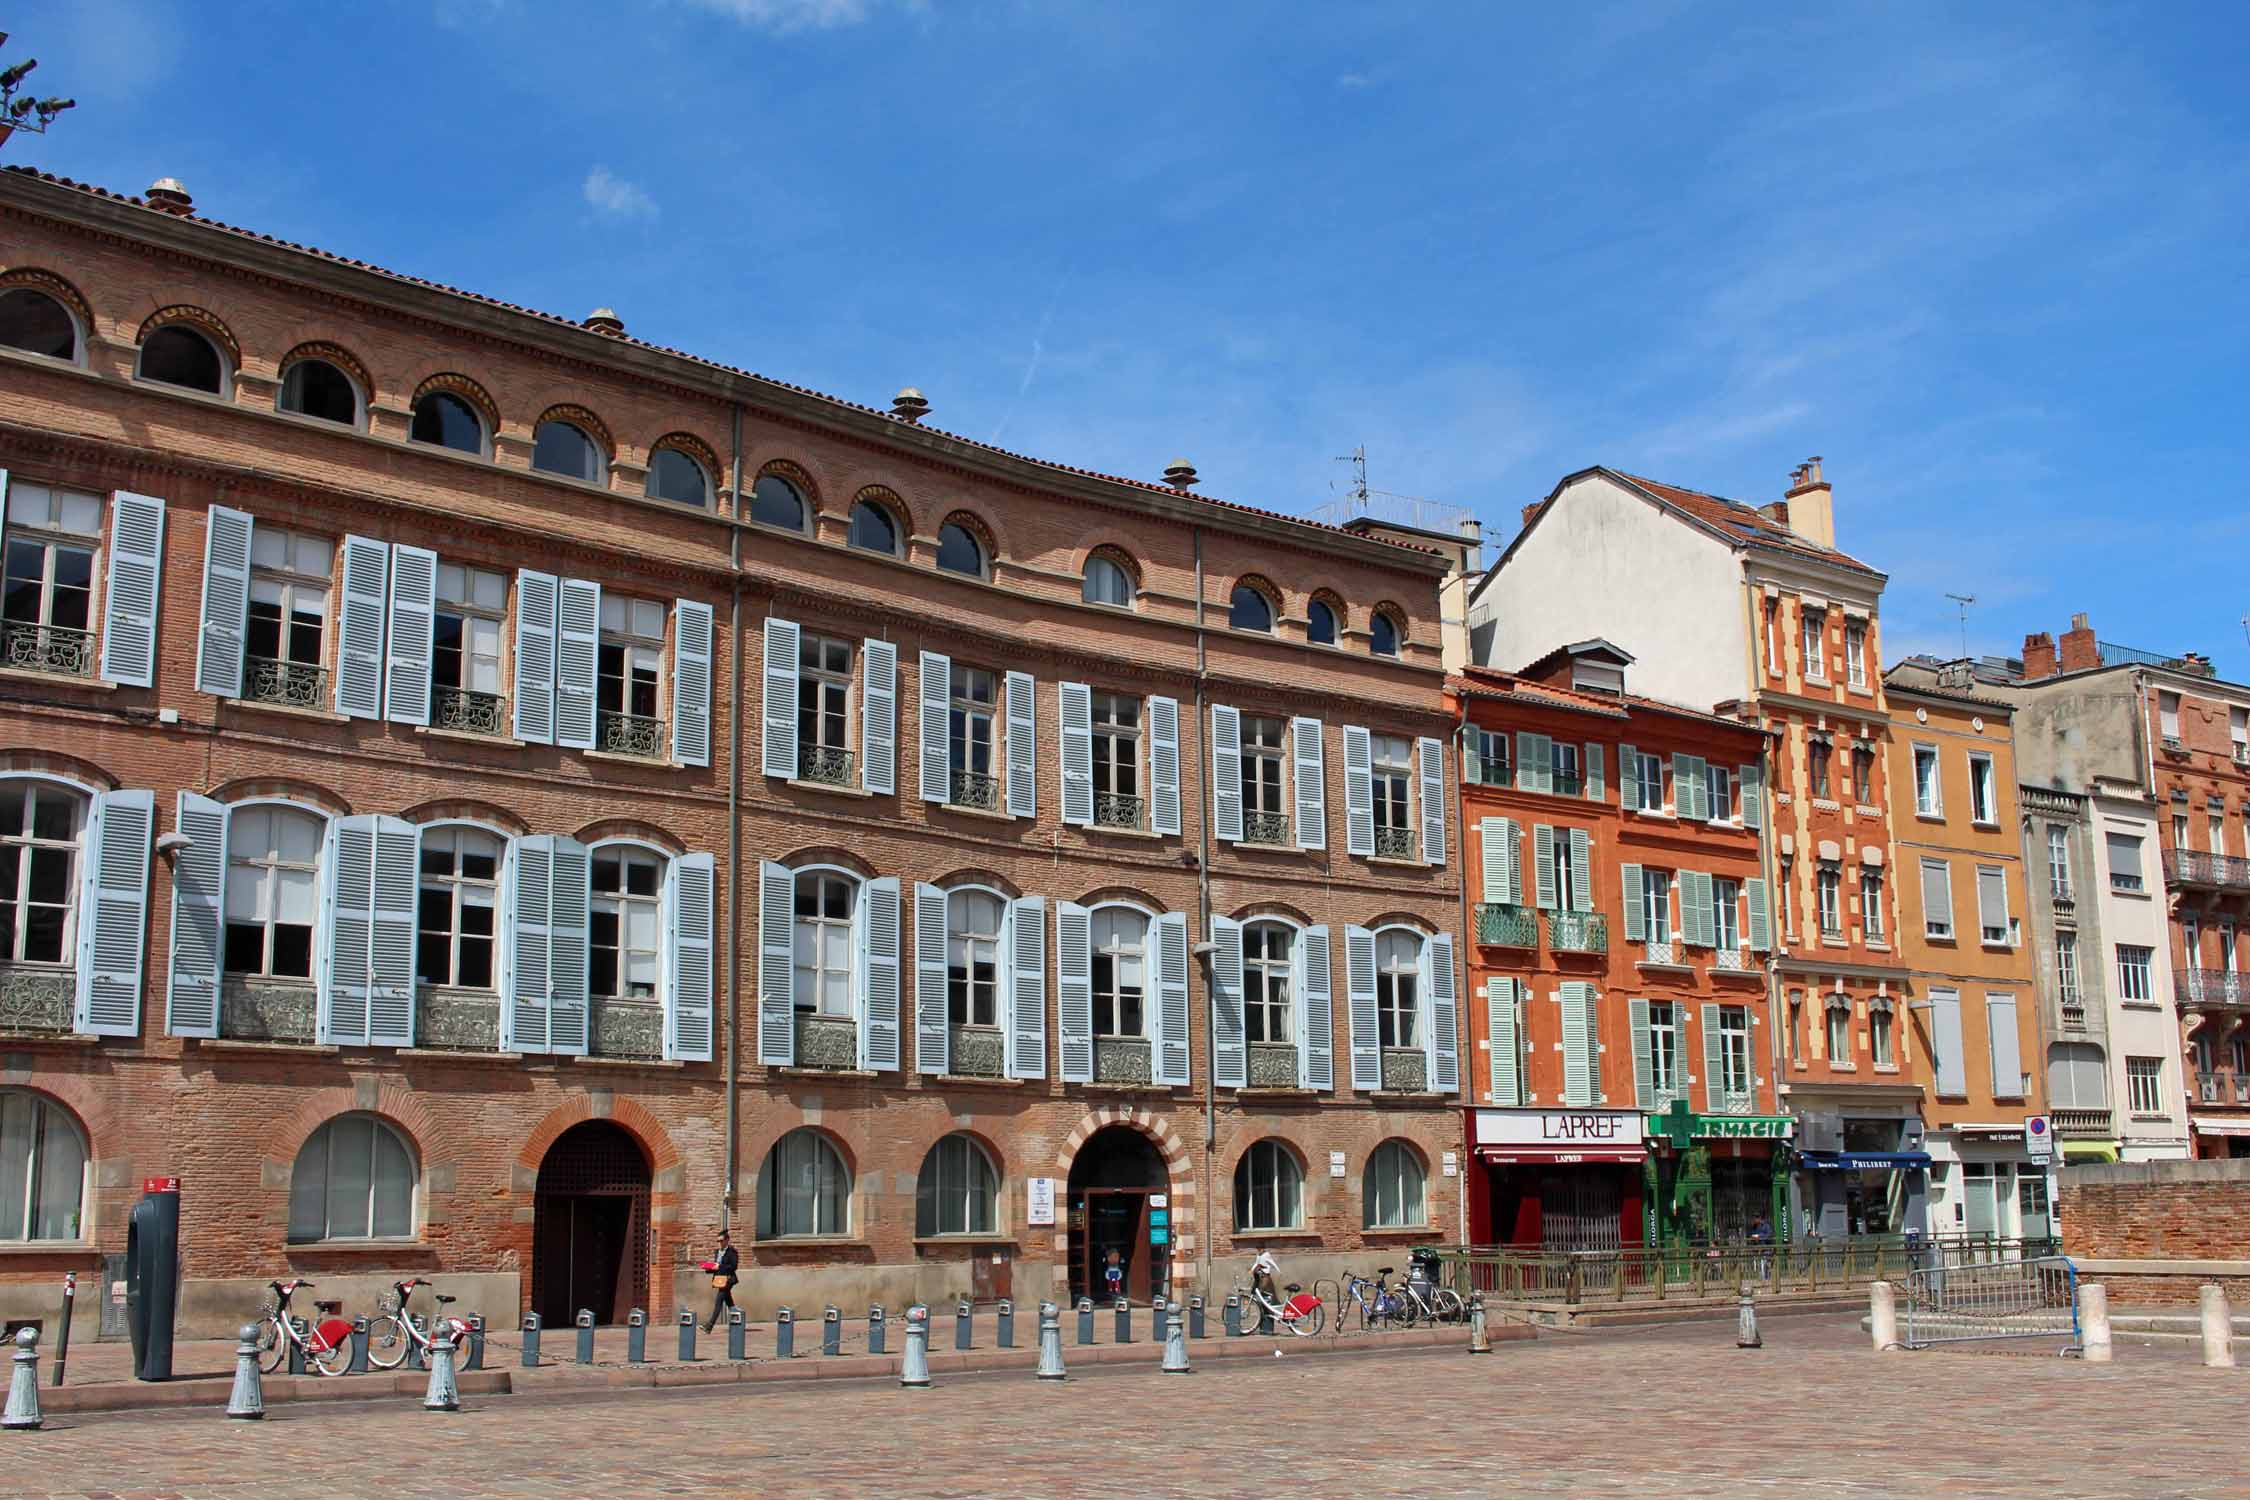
[496, 799]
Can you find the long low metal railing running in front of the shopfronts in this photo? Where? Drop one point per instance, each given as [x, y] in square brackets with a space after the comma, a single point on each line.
[1655, 1274]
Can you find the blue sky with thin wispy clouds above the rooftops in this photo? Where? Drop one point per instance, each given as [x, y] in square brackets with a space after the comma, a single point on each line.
[1990, 262]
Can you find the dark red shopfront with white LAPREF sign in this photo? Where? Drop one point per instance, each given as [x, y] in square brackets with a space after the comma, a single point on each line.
[1558, 1180]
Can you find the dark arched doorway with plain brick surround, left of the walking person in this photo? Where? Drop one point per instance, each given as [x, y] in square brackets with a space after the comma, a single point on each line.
[591, 1227]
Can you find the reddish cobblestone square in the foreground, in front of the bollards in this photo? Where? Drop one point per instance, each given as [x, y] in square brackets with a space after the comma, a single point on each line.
[1671, 1411]
